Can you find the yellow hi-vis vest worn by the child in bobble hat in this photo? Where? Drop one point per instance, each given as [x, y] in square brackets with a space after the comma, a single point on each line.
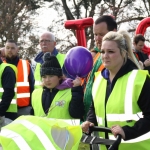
[59, 107]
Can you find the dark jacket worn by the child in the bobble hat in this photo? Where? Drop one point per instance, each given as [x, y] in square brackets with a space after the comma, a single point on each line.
[76, 106]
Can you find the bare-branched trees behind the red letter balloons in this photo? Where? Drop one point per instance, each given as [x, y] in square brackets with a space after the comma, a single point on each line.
[76, 9]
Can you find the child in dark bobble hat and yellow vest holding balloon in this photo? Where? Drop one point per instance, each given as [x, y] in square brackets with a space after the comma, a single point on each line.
[57, 98]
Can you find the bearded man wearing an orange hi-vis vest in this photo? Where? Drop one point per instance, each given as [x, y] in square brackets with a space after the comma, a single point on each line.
[25, 78]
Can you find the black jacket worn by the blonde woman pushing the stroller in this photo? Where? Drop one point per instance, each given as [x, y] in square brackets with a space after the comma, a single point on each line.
[143, 124]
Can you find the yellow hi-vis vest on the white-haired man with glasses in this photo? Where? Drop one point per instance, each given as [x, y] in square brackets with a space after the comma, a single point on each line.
[37, 76]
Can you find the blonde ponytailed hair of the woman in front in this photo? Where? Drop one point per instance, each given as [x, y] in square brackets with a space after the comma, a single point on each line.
[124, 43]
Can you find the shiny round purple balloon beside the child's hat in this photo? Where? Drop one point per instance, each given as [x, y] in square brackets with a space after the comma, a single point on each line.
[78, 61]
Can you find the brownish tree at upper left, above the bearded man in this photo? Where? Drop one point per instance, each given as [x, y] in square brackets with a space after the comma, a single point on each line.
[16, 23]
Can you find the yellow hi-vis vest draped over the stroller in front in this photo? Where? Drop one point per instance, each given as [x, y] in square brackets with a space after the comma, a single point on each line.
[39, 133]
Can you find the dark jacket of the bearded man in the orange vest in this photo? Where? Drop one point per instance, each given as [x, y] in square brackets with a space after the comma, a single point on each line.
[15, 61]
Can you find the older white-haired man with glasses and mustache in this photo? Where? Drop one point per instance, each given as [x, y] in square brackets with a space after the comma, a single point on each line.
[47, 43]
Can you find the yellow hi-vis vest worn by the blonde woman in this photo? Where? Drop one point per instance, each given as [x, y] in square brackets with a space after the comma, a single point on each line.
[121, 108]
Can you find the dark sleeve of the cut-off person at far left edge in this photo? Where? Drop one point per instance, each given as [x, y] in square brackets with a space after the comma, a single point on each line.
[8, 79]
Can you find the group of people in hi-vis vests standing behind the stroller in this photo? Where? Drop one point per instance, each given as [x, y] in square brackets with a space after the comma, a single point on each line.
[115, 93]
